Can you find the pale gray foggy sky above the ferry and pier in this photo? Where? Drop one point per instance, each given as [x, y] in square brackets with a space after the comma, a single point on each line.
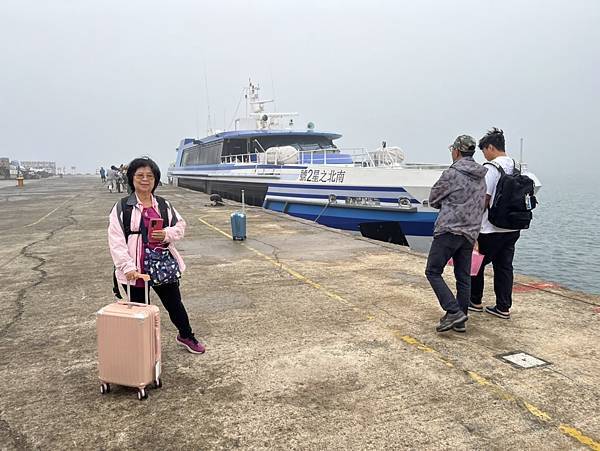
[97, 83]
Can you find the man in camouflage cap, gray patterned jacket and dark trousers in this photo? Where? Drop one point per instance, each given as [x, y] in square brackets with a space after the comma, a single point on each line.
[459, 194]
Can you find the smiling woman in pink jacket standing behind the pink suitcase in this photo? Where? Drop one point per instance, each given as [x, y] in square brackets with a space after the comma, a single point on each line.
[143, 176]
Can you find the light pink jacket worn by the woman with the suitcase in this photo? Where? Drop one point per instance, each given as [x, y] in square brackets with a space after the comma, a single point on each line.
[125, 255]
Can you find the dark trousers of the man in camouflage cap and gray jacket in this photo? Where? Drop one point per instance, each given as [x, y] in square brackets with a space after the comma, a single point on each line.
[460, 249]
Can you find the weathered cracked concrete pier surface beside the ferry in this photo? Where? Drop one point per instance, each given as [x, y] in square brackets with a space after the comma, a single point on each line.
[316, 339]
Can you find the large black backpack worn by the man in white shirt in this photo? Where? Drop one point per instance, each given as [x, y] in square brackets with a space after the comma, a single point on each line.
[514, 200]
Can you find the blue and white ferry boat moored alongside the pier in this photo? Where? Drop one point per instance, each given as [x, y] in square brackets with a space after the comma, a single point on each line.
[304, 174]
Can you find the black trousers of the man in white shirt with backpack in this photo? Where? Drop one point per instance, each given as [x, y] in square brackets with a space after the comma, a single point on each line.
[498, 249]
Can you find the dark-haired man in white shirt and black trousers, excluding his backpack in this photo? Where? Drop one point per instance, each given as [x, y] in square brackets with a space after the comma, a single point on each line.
[497, 244]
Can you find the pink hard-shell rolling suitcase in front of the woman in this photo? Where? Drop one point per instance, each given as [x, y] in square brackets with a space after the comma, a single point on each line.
[129, 345]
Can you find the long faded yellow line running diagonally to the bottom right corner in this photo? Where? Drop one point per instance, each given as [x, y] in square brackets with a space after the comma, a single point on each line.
[492, 387]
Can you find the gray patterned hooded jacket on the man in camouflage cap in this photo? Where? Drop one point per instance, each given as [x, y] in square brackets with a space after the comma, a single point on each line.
[460, 196]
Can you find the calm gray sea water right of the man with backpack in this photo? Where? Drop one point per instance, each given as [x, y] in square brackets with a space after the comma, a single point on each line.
[563, 243]
